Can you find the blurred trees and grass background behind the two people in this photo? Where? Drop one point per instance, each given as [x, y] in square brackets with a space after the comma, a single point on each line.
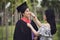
[9, 15]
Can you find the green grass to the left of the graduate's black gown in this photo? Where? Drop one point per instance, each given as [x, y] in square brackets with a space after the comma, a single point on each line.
[3, 32]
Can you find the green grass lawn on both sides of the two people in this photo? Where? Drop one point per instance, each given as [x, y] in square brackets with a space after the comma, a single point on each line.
[11, 31]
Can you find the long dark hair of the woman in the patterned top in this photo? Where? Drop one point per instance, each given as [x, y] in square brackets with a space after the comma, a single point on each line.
[50, 16]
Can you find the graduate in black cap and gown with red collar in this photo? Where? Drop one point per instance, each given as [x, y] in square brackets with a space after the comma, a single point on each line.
[22, 32]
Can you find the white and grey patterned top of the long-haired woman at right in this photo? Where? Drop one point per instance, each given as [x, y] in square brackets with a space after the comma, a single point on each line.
[45, 33]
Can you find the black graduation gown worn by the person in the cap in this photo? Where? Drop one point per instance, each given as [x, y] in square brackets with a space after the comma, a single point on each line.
[22, 32]
